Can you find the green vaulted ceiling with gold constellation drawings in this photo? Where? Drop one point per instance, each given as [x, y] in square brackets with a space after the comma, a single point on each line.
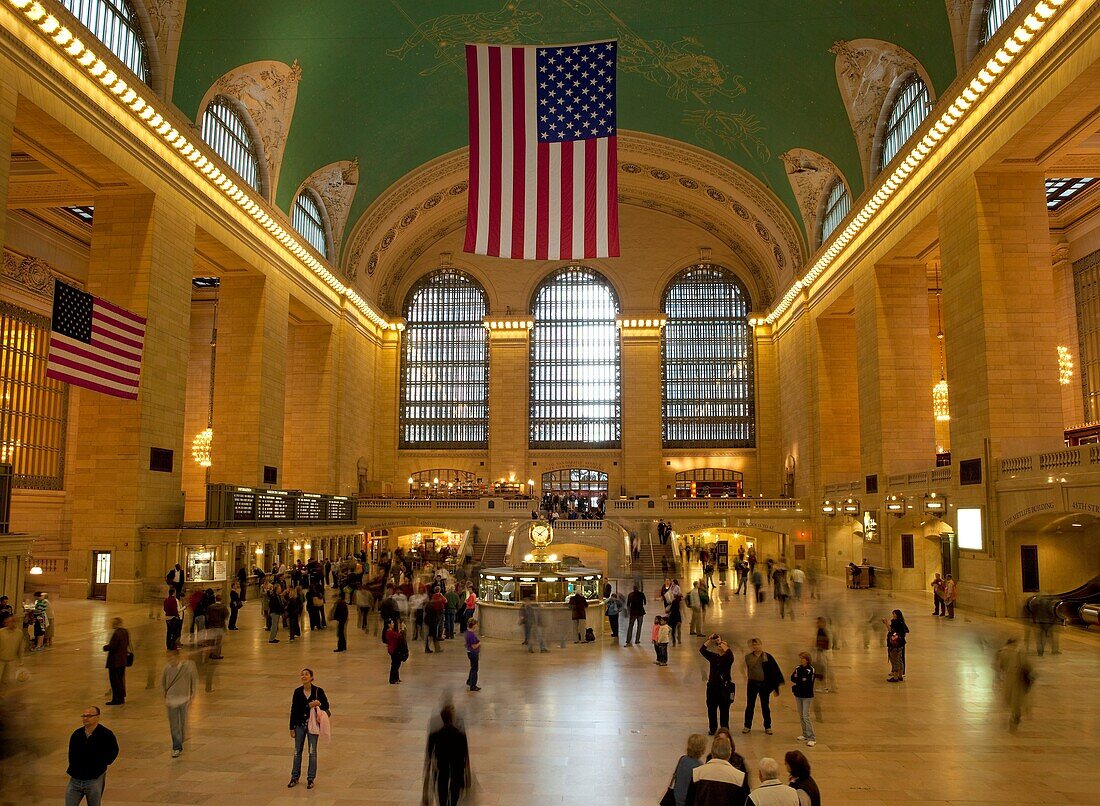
[384, 81]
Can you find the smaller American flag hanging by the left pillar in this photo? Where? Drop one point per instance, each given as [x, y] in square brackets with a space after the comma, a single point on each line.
[94, 344]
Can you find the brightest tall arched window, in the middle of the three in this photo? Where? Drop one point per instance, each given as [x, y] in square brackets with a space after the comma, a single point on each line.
[575, 362]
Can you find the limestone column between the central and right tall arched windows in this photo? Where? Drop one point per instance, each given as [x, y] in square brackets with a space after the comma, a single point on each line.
[641, 341]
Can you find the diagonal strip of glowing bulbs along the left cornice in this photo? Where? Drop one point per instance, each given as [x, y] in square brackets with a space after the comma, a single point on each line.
[74, 50]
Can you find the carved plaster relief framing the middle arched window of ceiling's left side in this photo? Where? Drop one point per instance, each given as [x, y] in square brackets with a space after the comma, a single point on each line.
[268, 91]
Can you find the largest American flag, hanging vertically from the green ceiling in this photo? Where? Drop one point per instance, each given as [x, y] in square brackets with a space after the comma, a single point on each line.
[543, 167]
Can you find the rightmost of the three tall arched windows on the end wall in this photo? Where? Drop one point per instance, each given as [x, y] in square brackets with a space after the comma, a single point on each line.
[708, 361]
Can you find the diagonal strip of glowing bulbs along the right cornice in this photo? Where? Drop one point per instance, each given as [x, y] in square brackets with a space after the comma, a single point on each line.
[988, 76]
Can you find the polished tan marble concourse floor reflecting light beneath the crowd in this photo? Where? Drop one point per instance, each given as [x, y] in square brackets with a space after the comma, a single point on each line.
[593, 723]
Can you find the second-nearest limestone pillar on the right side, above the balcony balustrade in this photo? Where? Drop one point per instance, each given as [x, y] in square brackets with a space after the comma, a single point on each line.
[897, 432]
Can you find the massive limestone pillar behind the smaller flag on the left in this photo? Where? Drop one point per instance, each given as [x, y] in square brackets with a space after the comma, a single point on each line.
[142, 257]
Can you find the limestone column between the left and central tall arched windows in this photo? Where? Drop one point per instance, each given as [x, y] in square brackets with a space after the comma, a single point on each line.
[509, 394]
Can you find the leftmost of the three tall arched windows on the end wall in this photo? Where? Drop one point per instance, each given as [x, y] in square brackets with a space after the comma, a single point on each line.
[445, 363]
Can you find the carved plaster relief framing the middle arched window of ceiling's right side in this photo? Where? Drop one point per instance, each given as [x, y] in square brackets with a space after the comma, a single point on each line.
[866, 71]
